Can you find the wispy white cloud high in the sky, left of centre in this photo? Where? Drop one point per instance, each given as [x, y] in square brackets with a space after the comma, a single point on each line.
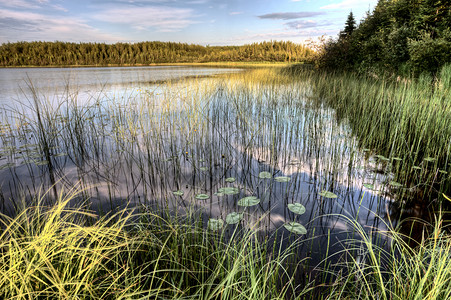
[164, 19]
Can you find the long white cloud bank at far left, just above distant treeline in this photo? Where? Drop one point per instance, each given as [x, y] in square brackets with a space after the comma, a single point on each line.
[29, 26]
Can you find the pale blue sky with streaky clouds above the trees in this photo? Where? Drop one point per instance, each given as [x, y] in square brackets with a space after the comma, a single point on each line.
[204, 22]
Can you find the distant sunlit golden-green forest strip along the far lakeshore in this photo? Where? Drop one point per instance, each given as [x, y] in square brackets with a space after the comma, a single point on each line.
[99, 54]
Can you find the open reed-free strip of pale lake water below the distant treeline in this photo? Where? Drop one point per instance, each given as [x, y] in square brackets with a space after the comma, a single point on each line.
[89, 82]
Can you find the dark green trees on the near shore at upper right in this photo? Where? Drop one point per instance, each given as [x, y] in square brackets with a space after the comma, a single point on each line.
[398, 36]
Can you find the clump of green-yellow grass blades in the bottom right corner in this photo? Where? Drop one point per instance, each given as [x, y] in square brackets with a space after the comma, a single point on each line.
[406, 268]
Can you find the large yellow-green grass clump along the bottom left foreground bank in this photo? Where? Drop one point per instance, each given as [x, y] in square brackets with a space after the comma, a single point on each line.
[60, 252]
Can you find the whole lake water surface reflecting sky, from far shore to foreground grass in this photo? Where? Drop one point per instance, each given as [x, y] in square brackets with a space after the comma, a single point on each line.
[196, 137]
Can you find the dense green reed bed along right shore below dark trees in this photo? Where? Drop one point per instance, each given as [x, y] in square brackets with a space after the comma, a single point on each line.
[406, 121]
